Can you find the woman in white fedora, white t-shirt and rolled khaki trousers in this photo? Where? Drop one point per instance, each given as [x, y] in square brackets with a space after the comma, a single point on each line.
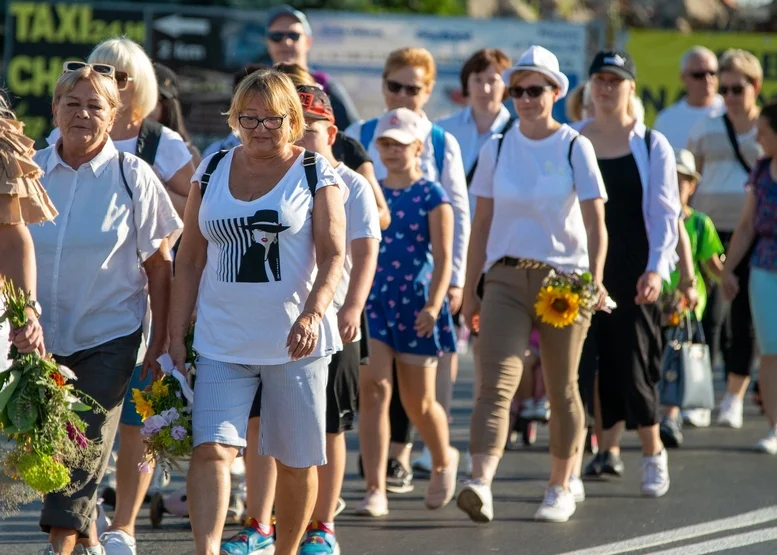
[540, 206]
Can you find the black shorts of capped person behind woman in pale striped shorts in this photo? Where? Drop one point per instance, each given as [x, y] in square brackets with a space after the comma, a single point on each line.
[342, 390]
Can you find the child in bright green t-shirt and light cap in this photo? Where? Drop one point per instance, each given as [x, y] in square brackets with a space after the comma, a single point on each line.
[706, 248]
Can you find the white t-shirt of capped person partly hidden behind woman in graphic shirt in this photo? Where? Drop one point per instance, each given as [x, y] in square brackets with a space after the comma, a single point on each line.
[362, 222]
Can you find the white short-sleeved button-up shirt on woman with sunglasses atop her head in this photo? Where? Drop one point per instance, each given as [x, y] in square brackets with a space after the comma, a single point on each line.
[91, 285]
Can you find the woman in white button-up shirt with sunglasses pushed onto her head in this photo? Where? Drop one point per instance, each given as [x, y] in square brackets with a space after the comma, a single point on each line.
[100, 263]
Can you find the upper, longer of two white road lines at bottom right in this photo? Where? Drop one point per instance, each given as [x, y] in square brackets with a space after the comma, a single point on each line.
[745, 520]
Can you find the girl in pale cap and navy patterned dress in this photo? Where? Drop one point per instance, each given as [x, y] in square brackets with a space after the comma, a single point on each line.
[408, 314]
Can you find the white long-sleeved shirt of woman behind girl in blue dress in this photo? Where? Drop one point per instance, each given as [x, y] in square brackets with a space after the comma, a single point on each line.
[453, 180]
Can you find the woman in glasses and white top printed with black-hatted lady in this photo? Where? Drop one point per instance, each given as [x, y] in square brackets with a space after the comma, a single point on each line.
[262, 256]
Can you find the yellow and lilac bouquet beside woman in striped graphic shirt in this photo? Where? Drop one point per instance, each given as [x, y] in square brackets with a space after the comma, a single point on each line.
[165, 408]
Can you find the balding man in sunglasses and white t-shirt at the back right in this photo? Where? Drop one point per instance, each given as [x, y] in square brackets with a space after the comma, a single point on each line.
[699, 72]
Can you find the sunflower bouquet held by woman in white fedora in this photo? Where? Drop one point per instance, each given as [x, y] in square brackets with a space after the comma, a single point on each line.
[562, 295]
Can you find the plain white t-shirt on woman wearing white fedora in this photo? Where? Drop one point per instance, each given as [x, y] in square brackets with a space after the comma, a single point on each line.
[537, 197]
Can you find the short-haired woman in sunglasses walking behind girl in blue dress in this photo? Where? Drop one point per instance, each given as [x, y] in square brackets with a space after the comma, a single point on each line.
[408, 80]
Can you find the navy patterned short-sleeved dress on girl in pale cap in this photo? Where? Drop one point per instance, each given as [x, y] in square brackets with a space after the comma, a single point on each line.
[403, 278]
